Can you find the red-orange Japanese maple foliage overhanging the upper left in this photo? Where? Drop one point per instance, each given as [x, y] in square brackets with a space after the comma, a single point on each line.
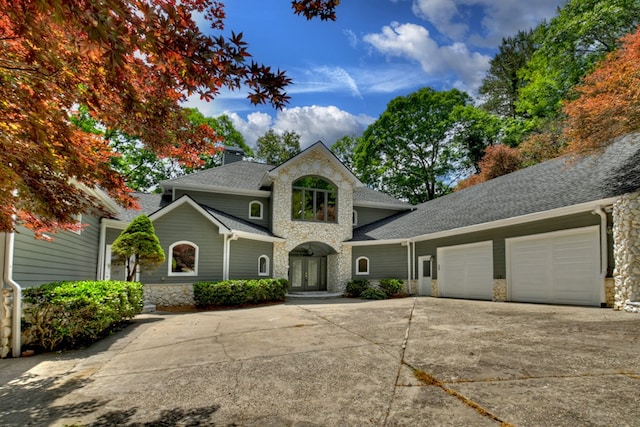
[131, 63]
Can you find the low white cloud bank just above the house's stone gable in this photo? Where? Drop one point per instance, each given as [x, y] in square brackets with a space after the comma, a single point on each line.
[312, 123]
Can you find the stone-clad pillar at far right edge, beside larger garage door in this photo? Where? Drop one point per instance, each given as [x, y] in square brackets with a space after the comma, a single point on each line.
[626, 250]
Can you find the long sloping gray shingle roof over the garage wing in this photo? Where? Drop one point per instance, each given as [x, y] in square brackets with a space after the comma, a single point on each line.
[550, 185]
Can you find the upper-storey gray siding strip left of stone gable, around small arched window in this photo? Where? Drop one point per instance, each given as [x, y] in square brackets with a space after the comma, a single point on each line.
[232, 204]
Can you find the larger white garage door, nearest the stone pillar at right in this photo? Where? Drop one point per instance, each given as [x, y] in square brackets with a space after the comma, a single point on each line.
[560, 268]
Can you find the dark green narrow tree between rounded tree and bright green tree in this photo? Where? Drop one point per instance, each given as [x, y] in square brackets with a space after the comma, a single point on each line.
[500, 87]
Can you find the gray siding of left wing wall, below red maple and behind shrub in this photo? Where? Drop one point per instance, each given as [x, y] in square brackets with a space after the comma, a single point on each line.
[69, 256]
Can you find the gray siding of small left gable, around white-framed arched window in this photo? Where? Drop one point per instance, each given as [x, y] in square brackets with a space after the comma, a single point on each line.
[184, 223]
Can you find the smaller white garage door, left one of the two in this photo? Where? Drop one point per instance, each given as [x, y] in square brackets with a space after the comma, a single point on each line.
[466, 271]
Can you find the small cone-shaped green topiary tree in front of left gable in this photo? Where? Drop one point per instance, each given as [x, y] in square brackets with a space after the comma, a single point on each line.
[138, 246]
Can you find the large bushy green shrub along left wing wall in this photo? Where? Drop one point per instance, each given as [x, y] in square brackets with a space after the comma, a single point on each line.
[66, 315]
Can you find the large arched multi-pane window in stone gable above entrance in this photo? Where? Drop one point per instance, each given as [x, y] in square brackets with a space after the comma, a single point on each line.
[314, 199]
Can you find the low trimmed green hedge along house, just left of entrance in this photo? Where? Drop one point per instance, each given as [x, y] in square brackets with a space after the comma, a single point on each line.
[238, 292]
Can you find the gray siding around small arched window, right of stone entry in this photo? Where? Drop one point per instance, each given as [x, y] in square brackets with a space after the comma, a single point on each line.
[385, 261]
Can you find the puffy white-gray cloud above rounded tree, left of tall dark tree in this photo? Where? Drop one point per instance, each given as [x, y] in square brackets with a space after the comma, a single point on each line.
[456, 63]
